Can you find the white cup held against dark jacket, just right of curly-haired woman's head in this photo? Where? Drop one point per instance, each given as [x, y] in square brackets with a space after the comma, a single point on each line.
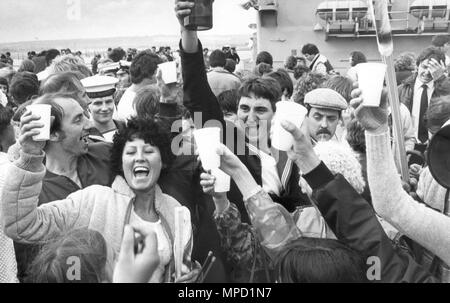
[208, 141]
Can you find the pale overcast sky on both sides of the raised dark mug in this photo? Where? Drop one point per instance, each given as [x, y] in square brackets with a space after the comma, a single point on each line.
[28, 20]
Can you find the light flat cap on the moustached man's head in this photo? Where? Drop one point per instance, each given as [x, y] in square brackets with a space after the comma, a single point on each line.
[327, 99]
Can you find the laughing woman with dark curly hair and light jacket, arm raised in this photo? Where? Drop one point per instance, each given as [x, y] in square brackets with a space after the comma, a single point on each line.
[140, 154]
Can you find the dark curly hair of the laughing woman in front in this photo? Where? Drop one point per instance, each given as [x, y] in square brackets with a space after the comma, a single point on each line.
[152, 131]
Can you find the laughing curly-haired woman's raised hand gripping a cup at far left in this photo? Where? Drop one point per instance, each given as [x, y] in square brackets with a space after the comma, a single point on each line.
[28, 129]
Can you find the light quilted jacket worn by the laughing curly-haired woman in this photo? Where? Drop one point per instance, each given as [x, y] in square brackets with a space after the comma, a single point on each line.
[98, 208]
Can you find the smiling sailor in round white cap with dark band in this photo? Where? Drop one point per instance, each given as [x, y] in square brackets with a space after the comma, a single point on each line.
[101, 89]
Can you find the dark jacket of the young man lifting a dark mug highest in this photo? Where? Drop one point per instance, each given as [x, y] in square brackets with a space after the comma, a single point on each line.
[199, 98]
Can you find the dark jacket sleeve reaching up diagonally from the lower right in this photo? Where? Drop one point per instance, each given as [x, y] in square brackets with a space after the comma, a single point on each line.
[354, 222]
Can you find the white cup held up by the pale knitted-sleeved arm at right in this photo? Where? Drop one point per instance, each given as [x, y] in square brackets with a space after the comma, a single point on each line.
[370, 80]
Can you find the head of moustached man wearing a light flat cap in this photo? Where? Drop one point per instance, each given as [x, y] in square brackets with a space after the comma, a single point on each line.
[325, 108]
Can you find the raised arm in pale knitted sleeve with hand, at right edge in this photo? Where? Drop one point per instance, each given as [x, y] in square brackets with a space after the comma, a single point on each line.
[423, 225]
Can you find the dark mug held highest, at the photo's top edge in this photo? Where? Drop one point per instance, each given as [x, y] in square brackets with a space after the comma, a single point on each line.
[201, 18]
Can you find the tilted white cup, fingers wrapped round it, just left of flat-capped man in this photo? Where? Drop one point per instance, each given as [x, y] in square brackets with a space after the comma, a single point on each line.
[286, 111]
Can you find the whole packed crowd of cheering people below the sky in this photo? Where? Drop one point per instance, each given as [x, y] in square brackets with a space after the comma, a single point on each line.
[122, 161]
